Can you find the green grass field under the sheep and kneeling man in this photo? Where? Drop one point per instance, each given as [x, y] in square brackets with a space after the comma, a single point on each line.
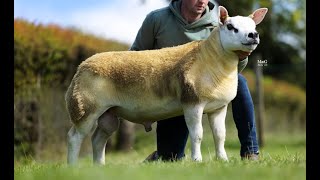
[283, 157]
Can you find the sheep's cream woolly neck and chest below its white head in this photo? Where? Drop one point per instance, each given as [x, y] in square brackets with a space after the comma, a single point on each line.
[219, 68]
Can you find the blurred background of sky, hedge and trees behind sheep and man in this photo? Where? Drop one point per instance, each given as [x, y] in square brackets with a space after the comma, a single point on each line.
[52, 37]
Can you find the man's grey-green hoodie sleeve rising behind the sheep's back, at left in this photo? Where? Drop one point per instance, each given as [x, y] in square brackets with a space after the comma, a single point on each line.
[146, 36]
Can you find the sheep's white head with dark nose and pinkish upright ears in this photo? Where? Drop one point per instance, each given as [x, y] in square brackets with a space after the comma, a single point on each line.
[238, 33]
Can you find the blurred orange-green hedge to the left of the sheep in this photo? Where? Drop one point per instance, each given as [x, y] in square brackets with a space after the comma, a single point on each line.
[45, 60]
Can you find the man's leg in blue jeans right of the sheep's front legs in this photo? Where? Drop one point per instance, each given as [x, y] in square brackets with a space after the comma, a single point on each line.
[244, 118]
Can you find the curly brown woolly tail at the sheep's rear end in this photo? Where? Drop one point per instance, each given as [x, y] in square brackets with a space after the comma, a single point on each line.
[74, 101]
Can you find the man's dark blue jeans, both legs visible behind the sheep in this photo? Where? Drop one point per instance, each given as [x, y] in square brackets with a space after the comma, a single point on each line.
[172, 134]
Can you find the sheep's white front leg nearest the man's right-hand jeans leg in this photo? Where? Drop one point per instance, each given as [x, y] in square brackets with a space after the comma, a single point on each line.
[217, 124]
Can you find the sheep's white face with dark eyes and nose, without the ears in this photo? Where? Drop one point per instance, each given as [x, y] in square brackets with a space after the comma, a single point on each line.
[239, 33]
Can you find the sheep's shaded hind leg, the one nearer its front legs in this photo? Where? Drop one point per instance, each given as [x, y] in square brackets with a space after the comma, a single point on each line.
[107, 124]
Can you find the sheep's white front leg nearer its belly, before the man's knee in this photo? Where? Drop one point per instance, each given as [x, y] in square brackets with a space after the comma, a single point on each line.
[193, 118]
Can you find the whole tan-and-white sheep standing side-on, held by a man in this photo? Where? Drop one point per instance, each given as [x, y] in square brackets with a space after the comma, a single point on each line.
[147, 86]
